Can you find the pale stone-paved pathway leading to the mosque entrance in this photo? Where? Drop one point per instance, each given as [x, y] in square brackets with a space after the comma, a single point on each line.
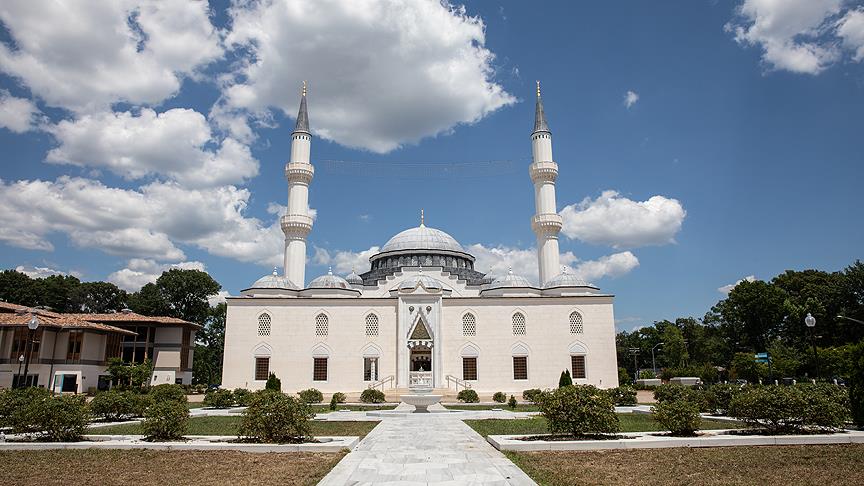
[425, 449]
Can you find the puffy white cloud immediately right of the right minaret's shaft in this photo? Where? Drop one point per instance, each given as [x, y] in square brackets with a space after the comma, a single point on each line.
[616, 221]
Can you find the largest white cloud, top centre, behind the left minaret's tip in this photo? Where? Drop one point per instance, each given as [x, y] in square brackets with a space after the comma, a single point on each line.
[382, 73]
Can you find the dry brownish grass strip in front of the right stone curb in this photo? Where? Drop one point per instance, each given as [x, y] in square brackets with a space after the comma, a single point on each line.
[811, 464]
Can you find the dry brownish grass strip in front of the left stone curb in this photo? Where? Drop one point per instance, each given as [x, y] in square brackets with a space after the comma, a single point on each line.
[141, 467]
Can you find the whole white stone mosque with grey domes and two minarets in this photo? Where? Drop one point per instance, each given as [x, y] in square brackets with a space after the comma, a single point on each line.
[422, 316]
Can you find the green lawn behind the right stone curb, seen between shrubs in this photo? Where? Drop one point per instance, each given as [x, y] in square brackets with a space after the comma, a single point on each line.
[630, 422]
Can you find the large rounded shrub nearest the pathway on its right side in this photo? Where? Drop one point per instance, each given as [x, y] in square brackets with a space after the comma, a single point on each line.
[578, 410]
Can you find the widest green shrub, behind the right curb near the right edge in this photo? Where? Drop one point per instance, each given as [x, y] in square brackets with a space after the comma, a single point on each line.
[783, 409]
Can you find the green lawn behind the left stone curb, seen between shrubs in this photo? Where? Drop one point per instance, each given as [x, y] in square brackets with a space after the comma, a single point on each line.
[230, 426]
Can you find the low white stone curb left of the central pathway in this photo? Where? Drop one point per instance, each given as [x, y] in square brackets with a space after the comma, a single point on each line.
[195, 443]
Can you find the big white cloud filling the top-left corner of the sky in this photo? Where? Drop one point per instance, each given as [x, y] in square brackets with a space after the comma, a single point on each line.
[84, 55]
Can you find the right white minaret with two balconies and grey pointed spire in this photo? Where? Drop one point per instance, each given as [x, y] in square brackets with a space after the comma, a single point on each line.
[546, 223]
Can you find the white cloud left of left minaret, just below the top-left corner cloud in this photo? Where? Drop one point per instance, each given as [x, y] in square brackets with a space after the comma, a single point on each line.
[173, 144]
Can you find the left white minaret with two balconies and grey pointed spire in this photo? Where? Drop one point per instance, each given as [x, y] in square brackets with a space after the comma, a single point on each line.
[297, 223]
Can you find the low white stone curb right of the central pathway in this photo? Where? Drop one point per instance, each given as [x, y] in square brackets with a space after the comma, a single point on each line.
[650, 440]
